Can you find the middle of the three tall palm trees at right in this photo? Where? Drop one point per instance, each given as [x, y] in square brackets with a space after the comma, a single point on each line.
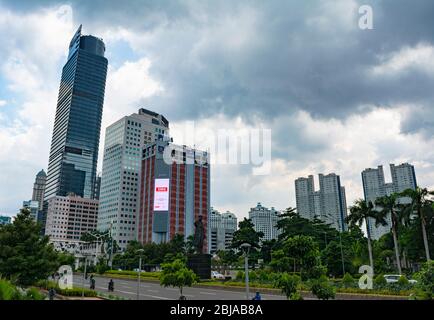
[389, 205]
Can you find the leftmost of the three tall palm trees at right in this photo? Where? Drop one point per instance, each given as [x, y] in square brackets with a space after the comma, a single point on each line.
[360, 212]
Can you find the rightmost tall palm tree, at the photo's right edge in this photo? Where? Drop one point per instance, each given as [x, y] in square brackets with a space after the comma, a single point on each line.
[420, 205]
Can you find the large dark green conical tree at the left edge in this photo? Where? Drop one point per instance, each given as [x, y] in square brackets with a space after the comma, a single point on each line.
[25, 256]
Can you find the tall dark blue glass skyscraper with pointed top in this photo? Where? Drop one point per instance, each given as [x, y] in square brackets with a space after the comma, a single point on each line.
[77, 125]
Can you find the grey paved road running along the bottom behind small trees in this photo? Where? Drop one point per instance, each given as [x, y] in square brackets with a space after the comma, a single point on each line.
[153, 291]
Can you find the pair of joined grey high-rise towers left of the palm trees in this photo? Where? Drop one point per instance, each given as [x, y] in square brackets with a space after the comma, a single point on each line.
[328, 203]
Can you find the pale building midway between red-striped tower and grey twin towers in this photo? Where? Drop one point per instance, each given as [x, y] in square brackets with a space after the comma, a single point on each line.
[265, 220]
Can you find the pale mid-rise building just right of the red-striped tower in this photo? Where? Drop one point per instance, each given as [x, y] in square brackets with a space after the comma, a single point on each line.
[221, 230]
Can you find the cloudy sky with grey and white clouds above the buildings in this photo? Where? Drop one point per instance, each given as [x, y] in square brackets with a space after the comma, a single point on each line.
[337, 98]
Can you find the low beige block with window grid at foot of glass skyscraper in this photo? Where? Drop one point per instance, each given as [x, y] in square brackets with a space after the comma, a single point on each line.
[71, 216]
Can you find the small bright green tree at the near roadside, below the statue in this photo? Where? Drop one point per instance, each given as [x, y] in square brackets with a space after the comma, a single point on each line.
[176, 274]
